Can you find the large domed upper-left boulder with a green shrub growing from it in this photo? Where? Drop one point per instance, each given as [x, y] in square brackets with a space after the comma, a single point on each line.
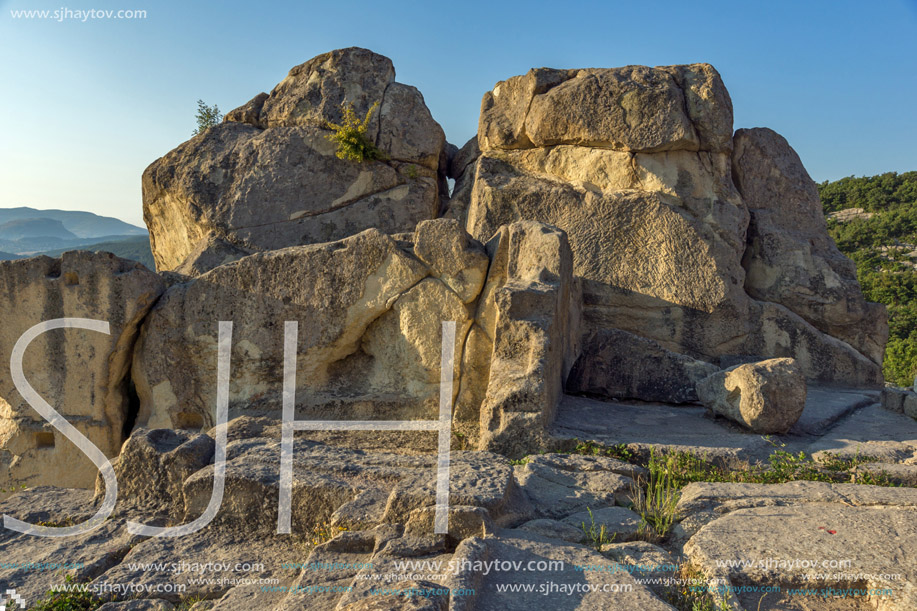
[268, 178]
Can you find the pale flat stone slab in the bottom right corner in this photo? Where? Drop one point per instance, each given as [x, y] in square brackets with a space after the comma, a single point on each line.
[813, 547]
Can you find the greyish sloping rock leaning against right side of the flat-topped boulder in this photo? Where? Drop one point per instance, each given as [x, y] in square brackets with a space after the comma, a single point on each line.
[790, 259]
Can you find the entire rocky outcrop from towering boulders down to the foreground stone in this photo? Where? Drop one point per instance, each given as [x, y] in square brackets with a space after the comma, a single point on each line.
[607, 235]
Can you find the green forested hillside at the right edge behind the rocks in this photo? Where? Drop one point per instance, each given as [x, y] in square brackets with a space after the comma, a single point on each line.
[874, 222]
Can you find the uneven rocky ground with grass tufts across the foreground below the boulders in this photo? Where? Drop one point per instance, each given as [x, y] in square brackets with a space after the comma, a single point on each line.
[561, 530]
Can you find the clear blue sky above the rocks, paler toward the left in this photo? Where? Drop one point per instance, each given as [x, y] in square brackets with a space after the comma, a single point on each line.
[86, 106]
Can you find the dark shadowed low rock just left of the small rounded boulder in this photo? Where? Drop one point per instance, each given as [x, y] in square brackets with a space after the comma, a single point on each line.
[620, 365]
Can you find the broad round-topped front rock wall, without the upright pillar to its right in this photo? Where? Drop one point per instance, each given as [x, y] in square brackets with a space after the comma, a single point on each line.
[350, 298]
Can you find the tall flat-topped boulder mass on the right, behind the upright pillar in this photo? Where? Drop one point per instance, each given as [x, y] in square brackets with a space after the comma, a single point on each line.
[636, 165]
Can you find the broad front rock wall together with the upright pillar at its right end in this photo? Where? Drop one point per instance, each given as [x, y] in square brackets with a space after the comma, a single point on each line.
[370, 310]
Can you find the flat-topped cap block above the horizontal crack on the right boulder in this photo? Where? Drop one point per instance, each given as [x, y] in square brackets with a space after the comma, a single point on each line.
[634, 108]
